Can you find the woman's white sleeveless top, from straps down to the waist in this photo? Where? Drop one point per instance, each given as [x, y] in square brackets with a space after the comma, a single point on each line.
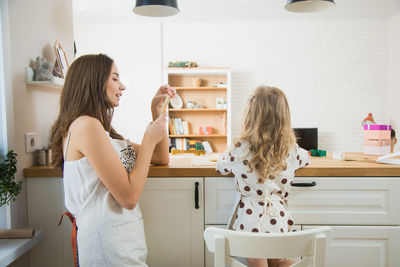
[85, 192]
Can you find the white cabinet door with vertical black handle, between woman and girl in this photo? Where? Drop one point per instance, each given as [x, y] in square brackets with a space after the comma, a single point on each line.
[173, 226]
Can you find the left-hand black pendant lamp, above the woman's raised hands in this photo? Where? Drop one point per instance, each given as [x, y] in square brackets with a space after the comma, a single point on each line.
[156, 8]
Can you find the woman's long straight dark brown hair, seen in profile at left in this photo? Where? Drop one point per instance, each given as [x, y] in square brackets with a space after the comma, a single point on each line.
[84, 93]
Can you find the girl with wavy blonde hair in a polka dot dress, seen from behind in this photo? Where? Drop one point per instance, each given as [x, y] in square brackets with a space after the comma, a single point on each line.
[263, 159]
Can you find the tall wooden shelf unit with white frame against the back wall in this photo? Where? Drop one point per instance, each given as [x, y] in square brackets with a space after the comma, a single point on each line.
[205, 94]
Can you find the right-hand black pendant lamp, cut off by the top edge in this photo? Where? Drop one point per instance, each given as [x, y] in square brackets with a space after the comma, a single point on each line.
[304, 6]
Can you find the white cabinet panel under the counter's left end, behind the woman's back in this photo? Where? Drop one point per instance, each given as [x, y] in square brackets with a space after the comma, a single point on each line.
[45, 206]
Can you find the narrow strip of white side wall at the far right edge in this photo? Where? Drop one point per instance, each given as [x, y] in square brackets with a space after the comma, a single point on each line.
[393, 96]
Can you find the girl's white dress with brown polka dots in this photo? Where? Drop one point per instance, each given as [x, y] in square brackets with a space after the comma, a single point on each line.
[262, 207]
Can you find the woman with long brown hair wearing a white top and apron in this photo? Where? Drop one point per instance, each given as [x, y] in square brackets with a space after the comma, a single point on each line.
[104, 174]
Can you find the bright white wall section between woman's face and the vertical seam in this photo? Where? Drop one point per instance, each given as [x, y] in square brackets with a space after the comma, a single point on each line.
[136, 50]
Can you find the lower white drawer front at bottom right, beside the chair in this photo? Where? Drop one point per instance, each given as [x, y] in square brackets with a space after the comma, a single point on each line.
[367, 246]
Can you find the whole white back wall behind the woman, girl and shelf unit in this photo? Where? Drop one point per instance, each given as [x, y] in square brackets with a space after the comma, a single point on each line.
[333, 72]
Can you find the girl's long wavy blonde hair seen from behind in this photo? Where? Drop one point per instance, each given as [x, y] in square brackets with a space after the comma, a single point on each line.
[267, 130]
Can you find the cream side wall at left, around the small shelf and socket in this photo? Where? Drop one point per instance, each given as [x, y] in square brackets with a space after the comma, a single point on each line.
[34, 27]
